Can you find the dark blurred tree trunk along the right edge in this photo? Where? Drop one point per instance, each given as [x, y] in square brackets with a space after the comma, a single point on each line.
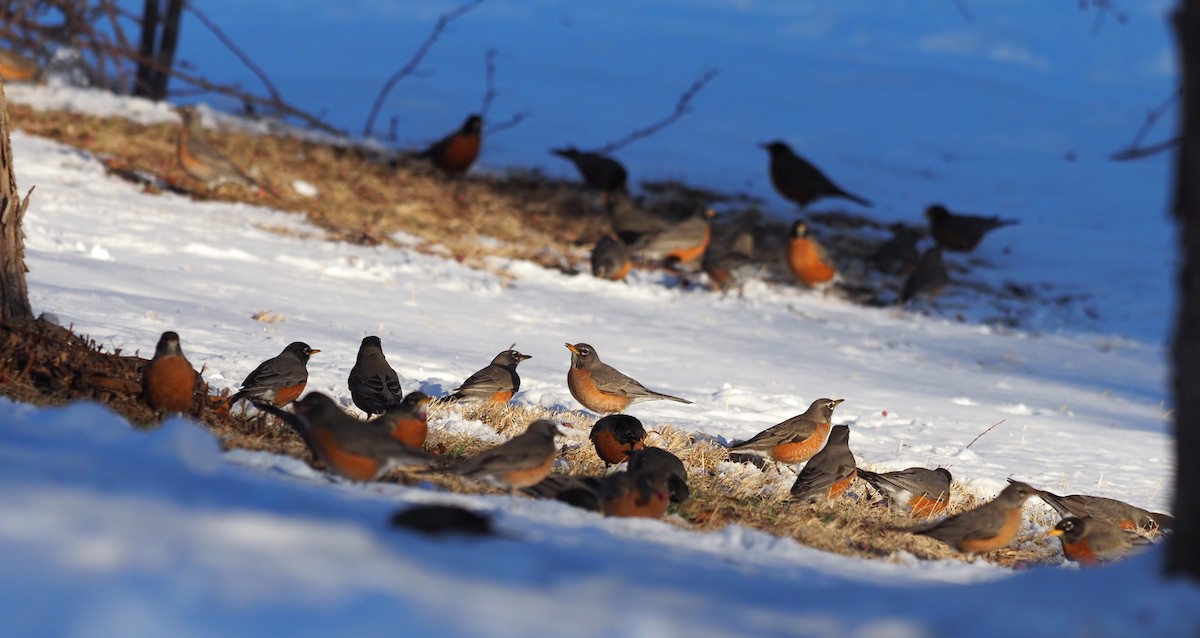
[1184, 547]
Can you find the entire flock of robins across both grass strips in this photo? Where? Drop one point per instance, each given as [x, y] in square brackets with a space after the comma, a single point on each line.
[1094, 531]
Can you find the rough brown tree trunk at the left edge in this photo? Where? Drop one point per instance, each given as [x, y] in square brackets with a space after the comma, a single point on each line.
[14, 294]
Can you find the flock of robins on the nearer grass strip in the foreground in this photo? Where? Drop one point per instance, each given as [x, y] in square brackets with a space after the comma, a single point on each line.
[1094, 531]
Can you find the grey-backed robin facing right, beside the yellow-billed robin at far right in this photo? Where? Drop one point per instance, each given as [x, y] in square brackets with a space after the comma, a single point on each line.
[987, 528]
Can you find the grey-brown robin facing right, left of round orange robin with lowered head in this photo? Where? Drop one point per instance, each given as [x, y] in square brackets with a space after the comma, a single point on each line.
[523, 461]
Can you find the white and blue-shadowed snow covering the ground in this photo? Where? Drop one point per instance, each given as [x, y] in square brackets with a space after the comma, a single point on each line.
[106, 531]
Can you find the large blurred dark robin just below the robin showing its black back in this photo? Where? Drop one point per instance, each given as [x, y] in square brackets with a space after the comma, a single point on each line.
[350, 448]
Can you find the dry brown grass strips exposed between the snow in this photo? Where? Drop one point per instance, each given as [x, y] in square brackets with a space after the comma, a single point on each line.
[364, 201]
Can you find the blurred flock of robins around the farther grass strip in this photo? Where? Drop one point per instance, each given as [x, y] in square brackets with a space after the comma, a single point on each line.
[677, 232]
